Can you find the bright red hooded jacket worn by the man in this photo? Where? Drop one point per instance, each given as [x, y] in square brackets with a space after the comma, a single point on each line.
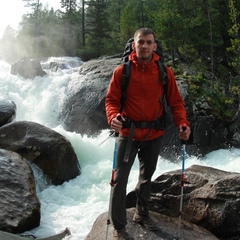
[143, 93]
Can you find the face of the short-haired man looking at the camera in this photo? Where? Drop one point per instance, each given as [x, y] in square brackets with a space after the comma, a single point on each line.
[144, 46]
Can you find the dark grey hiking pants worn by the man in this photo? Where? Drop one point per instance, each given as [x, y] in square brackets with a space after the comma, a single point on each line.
[148, 152]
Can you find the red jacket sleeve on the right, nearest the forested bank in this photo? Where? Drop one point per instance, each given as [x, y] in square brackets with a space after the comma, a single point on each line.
[175, 100]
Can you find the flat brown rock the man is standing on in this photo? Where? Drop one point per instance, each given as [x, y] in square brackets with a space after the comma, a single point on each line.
[168, 229]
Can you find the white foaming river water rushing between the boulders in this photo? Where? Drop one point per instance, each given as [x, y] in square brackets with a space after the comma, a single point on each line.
[76, 204]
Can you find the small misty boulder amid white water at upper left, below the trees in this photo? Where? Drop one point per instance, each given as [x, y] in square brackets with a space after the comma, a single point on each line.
[28, 68]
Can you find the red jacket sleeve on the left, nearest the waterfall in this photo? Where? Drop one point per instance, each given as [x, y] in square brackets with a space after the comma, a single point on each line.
[113, 96]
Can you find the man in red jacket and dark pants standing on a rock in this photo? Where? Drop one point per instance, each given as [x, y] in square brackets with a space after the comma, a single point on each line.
[142, 105]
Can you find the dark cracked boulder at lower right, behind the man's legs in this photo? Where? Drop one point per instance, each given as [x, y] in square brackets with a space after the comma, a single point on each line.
[211, 199]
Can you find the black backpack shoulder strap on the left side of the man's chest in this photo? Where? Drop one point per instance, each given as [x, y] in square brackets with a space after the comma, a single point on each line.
[126, 72]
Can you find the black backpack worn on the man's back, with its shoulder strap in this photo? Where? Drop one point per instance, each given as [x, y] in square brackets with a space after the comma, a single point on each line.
[127, 71]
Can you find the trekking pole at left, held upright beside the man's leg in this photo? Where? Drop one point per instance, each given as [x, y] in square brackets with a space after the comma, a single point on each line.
[112, 178]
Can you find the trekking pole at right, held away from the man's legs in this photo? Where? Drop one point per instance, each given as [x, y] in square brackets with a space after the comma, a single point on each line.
[183, 148]
